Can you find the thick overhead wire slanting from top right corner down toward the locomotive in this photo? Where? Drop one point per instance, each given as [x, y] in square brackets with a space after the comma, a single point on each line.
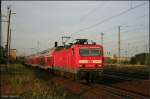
[107, 19]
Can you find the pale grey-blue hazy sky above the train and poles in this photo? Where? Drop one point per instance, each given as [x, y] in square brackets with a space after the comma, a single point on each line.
[38, 24]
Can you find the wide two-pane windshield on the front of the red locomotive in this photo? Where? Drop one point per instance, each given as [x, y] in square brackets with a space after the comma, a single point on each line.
[89, 51]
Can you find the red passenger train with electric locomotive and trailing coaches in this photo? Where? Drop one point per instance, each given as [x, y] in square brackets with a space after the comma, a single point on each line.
[79, 60]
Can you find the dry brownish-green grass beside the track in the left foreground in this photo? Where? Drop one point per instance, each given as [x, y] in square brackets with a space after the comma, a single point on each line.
[25, 82]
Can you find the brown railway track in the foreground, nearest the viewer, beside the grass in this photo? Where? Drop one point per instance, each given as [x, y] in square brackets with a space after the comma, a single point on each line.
[97, 91]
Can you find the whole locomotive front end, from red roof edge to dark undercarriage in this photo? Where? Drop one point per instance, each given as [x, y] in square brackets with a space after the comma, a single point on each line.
[90, 61]
